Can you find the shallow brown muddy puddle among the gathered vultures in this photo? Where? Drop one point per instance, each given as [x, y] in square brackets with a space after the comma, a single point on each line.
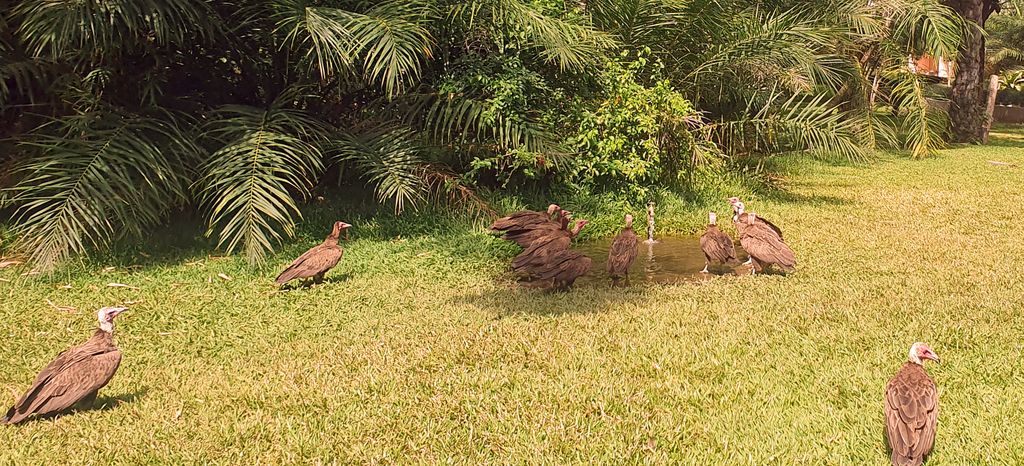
[671, 260]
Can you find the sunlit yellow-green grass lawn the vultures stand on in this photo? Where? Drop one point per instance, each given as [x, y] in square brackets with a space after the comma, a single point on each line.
[421, 350]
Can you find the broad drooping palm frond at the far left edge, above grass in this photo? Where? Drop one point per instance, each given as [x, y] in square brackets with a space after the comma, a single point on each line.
[95, 178]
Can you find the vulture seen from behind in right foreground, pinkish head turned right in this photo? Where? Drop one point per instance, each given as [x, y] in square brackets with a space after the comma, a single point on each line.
[912, 410]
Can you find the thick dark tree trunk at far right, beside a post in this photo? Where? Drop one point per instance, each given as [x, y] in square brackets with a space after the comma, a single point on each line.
[967, 111]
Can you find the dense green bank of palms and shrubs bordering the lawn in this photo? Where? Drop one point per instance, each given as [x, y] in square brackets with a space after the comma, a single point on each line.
[122, 112]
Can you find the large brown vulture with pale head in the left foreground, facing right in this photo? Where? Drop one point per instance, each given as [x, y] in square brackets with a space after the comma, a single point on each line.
[75, 376]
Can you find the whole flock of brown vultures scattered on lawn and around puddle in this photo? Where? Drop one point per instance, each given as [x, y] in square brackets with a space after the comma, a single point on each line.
[76, 375]
